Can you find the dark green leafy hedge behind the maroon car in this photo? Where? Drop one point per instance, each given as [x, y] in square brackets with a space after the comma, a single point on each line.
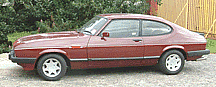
[59, 15]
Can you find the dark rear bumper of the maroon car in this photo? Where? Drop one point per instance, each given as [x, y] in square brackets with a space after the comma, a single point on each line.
[198, 53]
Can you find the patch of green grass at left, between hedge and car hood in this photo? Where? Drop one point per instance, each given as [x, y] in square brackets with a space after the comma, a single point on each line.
[14, 36]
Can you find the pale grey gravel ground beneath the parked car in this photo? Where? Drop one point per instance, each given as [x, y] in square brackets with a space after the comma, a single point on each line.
[195, 73]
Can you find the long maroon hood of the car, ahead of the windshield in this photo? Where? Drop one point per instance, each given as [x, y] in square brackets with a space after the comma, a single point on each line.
[53, 39]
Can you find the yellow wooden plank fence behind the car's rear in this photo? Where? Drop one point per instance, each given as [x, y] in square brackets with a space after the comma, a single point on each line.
[195, 15]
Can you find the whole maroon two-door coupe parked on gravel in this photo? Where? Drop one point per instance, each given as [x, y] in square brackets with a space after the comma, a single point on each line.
[110, 40]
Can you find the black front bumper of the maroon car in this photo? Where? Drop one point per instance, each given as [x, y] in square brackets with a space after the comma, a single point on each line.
[15, 59]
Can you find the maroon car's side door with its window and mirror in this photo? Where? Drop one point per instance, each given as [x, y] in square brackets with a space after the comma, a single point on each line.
[123, 47]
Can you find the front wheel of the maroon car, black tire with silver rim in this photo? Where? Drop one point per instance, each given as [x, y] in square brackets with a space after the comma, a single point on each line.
[51, 67]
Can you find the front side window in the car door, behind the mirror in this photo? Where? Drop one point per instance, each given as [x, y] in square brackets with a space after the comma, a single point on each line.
[122, 28]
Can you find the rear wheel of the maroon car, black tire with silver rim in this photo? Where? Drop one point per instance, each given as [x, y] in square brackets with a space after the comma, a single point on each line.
[171, 62]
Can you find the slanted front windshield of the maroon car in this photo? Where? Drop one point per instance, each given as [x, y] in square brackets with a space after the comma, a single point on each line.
[92, 26]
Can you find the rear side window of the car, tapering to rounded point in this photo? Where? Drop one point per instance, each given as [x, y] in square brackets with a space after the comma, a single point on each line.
[150, 28]
